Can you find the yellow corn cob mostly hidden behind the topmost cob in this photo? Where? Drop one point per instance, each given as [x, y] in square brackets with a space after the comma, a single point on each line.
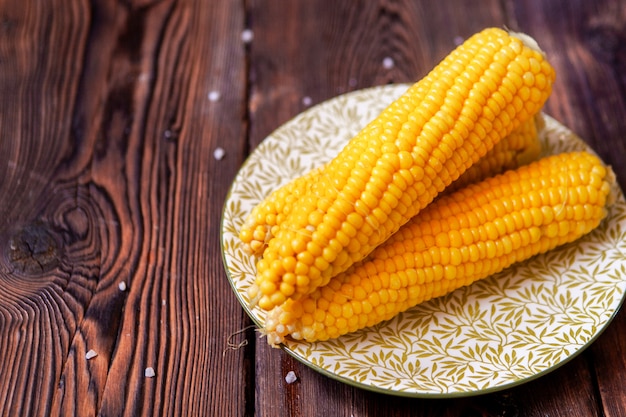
[520, 147]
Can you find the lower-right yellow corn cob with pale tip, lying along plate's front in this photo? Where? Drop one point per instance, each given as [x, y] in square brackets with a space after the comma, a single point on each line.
[462, 237]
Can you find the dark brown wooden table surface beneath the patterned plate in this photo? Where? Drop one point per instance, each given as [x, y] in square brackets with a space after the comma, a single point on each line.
[111, 197]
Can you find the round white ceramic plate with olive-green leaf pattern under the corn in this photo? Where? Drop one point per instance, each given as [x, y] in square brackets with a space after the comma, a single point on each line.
[496, 333]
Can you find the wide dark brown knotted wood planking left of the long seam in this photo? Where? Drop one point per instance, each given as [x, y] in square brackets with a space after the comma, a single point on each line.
[110, 179]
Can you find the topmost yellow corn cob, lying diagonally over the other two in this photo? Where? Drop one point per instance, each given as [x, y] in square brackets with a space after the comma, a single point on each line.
[397, 164]
